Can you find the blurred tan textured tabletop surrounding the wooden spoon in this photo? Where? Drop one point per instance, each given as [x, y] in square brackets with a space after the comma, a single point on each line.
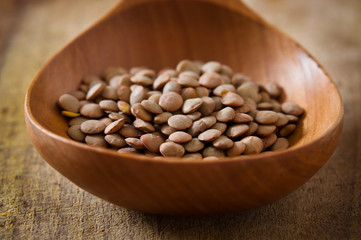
[38, 203]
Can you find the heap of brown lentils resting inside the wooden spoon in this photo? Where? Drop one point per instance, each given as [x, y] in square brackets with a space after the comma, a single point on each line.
[198, 110]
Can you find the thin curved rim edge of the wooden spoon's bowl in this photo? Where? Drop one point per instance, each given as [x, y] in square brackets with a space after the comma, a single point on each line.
[264, 156]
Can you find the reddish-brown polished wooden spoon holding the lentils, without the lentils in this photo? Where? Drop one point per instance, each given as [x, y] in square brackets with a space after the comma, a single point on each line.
[161, 33]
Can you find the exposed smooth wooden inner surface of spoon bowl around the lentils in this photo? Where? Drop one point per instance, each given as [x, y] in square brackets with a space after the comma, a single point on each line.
[145, 36]
